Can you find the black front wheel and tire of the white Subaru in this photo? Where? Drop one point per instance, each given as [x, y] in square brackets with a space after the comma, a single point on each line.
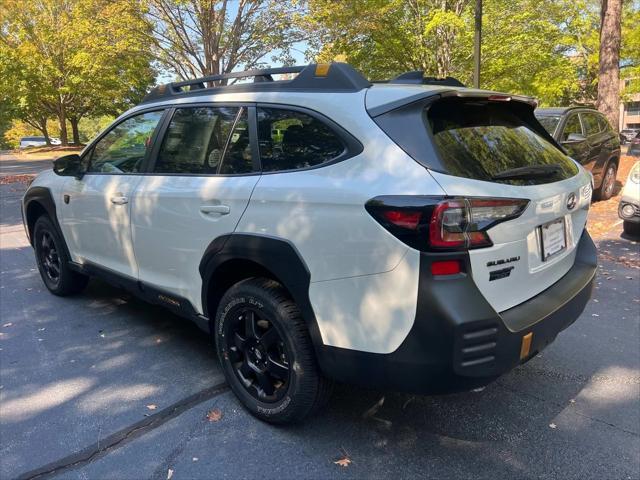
[53, 262]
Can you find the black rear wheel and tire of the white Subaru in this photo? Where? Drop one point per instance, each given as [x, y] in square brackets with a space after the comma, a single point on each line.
[266, 353]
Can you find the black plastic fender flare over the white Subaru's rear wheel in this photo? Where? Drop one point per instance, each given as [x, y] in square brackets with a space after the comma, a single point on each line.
[277, 255]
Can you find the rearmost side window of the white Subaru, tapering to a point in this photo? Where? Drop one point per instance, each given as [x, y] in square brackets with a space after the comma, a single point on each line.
[290, 140]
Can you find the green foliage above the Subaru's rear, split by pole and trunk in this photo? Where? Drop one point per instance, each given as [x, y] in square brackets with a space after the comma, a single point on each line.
[544, 48]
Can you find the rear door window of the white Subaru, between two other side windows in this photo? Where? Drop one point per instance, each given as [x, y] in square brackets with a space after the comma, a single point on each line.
[195, 140]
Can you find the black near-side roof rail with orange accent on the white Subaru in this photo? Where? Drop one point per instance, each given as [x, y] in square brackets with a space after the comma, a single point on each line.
[334, 77]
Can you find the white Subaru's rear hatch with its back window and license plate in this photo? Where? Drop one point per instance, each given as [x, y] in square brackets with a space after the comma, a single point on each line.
[490, 146]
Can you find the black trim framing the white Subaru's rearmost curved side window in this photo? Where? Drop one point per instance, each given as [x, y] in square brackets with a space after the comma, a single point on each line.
[352, 146]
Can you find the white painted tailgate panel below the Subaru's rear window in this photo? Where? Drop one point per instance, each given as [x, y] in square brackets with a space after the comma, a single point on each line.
[520, 237]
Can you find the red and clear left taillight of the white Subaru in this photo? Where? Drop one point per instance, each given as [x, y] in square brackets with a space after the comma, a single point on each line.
[428, 223]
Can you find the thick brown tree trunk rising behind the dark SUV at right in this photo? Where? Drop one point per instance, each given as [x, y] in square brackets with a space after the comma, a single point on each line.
[609, 73]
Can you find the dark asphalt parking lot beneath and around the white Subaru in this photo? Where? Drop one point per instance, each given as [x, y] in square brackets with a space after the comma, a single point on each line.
[102, 385]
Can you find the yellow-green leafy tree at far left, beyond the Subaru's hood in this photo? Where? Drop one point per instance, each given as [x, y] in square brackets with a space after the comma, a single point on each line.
[76, 57]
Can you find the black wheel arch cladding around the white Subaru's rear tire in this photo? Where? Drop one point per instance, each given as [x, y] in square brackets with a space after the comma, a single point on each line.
[234, 257]
